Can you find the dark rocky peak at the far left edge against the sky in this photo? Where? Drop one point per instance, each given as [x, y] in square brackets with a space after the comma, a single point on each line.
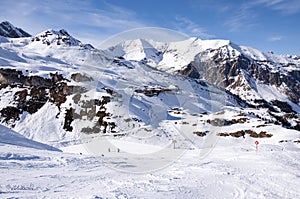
[9, 30]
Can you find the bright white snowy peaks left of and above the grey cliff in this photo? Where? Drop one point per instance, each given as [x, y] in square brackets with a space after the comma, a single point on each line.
[162, 54]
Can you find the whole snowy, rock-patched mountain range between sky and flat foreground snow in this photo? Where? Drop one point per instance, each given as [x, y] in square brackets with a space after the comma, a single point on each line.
[55, 88]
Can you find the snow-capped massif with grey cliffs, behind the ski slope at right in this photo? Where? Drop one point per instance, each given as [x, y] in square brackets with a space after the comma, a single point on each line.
[242, 70]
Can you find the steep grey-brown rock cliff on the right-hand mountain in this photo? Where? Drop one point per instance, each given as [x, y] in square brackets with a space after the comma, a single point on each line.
[223, 71]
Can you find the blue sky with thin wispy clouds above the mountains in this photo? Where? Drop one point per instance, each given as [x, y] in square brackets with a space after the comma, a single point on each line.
[262, 24]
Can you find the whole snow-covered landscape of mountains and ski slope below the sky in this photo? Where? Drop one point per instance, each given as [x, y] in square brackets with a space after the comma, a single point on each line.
[142, 118]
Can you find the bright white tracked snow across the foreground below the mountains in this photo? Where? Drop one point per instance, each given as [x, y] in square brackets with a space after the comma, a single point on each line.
[233, 169]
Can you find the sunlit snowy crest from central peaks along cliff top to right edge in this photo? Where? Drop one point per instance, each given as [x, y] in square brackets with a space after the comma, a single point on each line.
[183, 52]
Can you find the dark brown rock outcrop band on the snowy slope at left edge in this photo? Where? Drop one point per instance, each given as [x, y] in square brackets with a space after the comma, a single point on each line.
[34, 92]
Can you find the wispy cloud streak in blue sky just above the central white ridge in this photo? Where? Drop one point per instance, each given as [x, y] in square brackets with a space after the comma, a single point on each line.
[191, 28]
